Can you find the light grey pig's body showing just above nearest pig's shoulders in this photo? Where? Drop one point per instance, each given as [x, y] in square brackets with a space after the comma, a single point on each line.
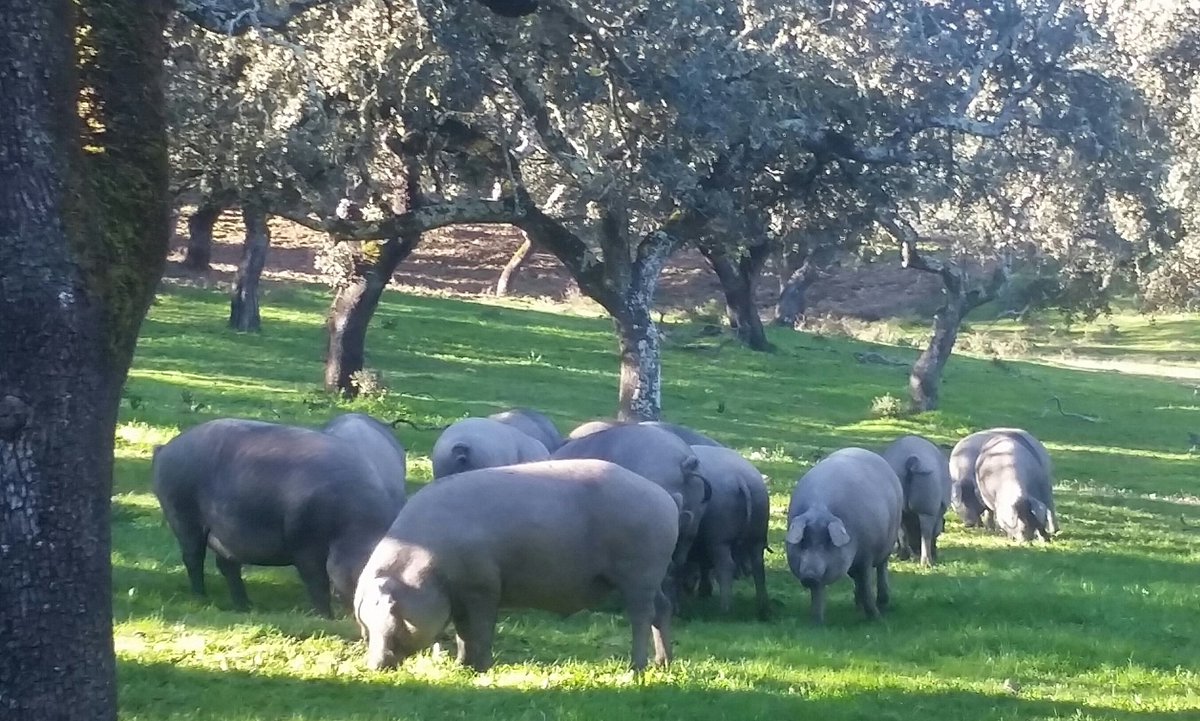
[478, 443]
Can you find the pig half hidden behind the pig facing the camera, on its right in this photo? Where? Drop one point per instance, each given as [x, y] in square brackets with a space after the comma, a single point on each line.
[926, 479]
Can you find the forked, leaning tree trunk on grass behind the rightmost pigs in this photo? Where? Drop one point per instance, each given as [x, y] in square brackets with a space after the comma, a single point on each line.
[926, 378]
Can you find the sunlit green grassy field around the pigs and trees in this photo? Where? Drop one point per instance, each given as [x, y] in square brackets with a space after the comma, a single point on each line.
[1102, 624]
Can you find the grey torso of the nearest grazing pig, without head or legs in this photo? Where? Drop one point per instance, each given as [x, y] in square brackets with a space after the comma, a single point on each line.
[554, 534]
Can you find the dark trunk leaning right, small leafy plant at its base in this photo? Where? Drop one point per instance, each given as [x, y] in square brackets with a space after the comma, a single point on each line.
[350, 315]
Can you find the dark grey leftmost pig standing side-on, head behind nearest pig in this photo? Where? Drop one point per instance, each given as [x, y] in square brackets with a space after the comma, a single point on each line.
[272, 496]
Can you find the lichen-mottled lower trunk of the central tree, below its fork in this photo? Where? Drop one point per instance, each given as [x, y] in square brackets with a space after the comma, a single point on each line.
[640, 396]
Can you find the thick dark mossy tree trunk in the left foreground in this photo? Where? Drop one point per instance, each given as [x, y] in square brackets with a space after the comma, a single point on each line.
[83, 239]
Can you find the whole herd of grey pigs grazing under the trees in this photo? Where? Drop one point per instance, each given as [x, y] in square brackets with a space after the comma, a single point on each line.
[519, 516]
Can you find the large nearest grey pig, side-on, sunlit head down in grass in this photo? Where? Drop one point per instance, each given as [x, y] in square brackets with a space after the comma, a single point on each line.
[557, 536]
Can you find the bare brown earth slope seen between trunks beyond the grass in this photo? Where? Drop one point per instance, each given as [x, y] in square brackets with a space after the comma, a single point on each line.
[467, 262]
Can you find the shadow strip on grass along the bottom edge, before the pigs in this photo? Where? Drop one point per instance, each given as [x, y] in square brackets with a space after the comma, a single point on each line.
[165, 692]
